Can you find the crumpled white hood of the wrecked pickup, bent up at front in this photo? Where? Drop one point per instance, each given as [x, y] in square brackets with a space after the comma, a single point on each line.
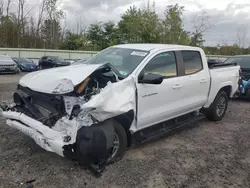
[58, 80]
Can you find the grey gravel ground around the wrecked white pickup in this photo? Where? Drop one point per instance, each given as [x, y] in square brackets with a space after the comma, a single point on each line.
[206, 155]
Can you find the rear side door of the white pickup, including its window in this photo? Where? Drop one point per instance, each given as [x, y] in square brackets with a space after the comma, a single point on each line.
[195, 81]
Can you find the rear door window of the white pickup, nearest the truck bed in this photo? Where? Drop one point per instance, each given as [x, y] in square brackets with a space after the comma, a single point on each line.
[192, 62]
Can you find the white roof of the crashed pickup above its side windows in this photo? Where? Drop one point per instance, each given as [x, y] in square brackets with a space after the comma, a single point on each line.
[149, 47]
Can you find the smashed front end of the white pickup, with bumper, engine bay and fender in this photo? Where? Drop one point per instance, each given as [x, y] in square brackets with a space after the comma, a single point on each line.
[73, 119]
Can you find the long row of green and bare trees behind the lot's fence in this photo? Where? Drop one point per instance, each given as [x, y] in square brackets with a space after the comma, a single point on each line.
[19, 28]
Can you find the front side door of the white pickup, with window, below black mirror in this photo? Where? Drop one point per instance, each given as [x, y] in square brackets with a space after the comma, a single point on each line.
[157, 103]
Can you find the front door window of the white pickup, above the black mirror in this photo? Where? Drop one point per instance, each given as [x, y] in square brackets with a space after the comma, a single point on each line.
[163, 64]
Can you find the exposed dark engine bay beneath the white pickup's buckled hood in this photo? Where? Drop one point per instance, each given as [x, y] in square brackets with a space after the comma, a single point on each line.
[49, 108]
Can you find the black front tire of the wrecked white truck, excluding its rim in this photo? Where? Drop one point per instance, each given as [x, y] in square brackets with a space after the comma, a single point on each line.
[122, 136]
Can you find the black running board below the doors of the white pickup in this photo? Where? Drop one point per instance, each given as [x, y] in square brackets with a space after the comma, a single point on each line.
[164, 128]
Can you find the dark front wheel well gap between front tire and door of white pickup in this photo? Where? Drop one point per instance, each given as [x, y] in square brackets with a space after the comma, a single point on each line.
[126, 120]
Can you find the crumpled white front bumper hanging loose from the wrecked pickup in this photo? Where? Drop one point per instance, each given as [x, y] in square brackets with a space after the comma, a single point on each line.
[45, 137]
